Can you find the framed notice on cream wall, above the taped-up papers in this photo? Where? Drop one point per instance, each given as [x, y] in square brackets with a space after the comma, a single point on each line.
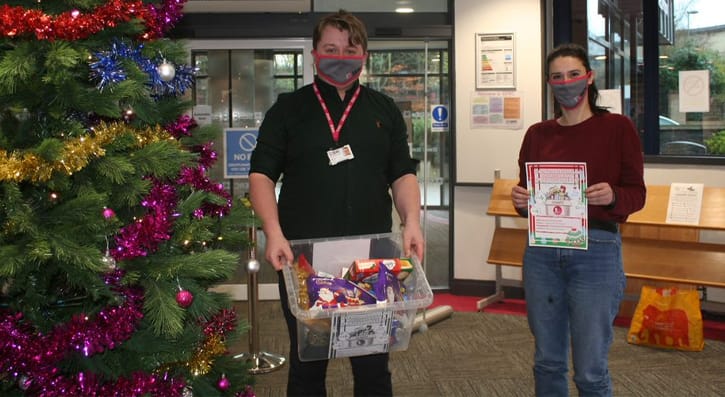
[495, 61]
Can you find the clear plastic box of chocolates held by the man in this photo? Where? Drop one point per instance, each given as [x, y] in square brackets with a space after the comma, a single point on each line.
[378, 326]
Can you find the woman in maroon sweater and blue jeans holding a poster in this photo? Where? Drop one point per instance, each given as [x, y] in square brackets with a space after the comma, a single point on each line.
[573, 295]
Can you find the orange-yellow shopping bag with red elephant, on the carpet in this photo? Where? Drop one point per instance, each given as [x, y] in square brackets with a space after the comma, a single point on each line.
[668, 318]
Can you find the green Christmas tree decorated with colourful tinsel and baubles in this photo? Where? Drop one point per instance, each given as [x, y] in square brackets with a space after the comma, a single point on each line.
[111, 234]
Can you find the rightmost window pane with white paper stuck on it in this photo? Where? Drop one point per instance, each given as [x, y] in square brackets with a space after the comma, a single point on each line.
[692, 82]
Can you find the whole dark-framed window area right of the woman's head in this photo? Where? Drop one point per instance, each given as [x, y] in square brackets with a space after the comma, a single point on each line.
[690, 77]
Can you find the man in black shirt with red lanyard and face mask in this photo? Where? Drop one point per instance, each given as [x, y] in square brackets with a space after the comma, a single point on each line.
[340, 148]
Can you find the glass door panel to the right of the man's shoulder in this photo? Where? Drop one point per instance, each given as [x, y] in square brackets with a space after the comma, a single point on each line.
[416, 75]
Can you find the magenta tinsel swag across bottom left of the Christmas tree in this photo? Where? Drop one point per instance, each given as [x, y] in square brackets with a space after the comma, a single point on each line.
[32, 358]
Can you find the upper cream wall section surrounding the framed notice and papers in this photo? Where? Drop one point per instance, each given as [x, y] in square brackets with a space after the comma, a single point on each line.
[480, 151]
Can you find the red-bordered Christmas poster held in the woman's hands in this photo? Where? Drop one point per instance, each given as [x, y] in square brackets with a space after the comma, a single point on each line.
[557, 204]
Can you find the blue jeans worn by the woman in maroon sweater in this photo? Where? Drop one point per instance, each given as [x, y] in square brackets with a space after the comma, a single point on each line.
[572, 297]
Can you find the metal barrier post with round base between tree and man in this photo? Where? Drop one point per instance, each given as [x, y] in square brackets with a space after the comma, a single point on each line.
[261, 362]
